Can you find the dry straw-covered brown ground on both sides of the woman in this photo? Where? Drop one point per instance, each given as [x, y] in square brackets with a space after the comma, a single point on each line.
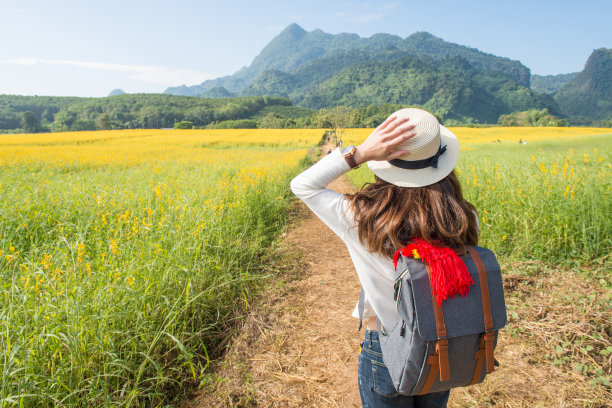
[299, 346]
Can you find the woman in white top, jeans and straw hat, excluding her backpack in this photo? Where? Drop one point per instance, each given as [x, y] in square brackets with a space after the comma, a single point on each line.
[415, 195]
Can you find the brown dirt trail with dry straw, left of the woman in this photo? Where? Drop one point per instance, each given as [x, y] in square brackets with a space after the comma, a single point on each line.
[303, 348]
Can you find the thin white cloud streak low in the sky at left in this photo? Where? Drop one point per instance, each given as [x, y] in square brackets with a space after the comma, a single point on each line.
[145, 73]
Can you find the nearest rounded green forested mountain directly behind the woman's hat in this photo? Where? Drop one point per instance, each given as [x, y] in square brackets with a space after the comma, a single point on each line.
[450, 87]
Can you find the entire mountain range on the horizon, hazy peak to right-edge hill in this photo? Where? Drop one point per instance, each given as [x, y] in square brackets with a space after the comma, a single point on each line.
[318, 70]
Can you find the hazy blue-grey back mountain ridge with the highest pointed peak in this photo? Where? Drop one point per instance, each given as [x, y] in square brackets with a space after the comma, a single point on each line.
[294, 47]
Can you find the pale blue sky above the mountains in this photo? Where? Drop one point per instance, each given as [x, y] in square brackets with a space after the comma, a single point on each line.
[87, 48]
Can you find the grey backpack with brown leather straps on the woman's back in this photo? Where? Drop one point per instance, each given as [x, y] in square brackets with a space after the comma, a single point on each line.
[436, 347]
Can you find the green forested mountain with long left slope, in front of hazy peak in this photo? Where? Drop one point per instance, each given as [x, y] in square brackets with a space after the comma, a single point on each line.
[451, 86]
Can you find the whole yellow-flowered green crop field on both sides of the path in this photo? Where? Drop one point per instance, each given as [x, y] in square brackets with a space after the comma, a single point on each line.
[124, 254]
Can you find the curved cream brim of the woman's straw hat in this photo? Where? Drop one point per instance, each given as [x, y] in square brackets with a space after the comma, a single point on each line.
[421, 177]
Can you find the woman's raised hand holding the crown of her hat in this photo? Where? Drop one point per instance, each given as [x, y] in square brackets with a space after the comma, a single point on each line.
[384, 142]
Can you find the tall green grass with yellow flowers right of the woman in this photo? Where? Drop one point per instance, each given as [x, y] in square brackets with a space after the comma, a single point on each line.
[546, 200]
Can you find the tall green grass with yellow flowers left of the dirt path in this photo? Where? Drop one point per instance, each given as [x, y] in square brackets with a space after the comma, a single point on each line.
[117, 279]
